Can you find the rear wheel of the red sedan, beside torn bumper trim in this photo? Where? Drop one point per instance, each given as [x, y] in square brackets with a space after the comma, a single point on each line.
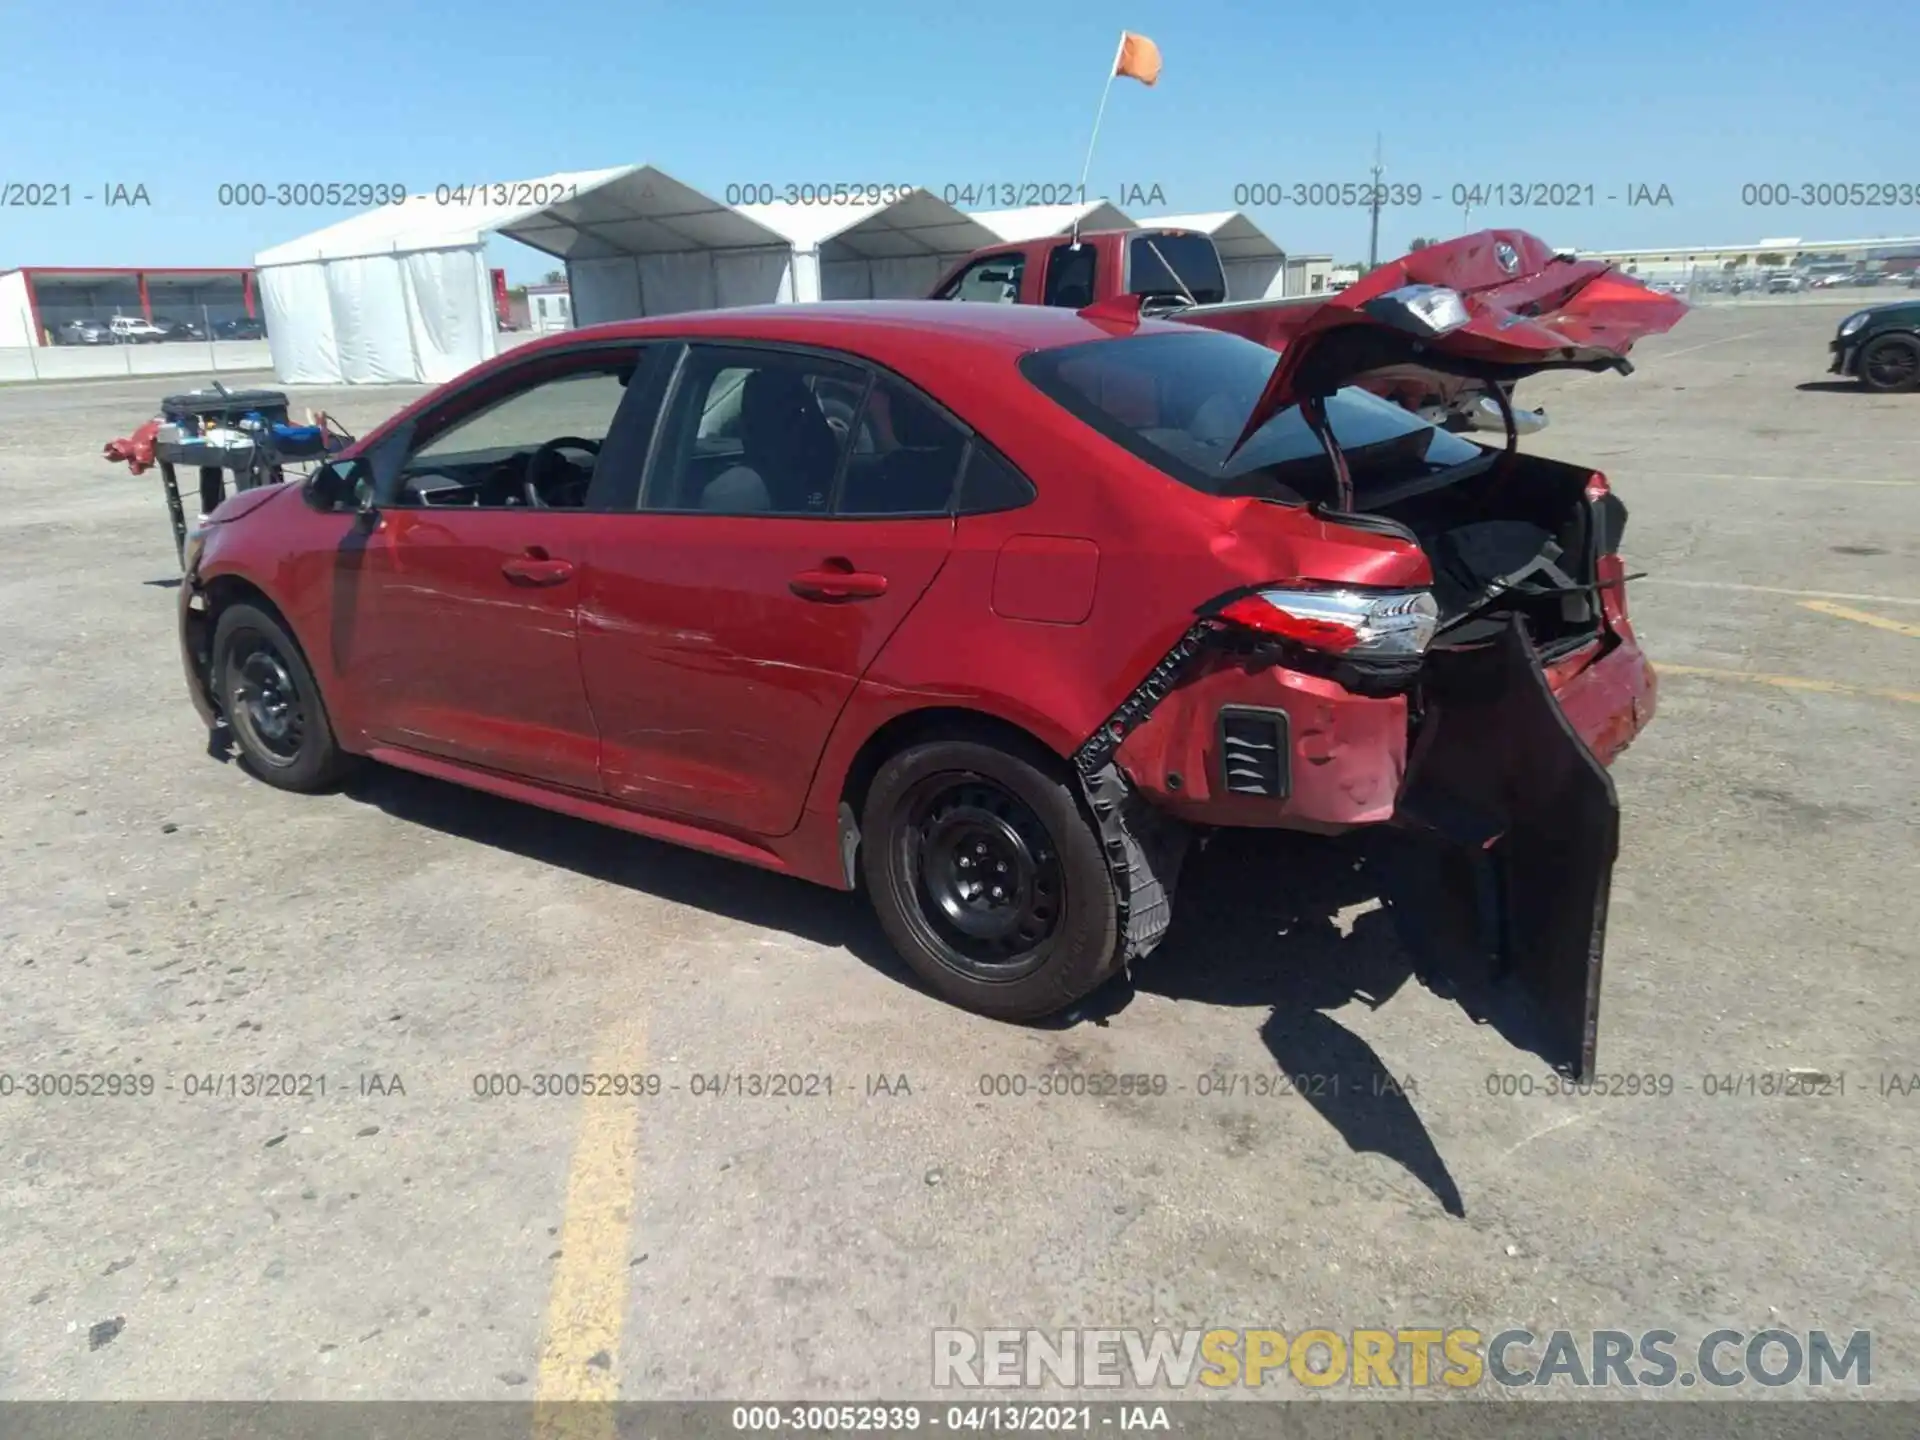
[990, 880]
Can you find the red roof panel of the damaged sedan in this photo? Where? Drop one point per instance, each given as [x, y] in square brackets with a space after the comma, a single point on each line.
[880, 325]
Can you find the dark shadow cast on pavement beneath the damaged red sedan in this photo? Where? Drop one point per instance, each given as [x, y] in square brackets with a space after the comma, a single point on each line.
[1299, 924]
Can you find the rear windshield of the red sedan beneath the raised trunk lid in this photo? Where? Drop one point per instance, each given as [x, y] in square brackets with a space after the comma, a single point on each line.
[1180, 402]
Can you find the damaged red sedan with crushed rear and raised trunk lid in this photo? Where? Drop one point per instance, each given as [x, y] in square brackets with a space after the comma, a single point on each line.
[984, 610]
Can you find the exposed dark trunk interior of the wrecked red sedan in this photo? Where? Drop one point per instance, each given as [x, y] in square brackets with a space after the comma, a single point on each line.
[1516, 540]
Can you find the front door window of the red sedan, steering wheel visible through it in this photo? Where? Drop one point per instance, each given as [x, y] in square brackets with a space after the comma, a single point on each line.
[533, 446]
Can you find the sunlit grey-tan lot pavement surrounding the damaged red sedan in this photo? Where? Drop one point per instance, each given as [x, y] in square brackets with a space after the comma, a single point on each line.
[400, 1237]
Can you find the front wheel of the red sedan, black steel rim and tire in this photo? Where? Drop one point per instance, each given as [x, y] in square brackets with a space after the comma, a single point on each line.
[272, 704]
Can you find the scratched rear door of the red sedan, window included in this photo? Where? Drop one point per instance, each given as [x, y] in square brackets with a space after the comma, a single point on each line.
[798, 506]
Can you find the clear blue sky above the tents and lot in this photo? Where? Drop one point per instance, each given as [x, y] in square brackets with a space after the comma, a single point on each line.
[1700, 99]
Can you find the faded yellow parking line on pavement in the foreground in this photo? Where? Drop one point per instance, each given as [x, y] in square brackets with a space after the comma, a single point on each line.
[587, 1305]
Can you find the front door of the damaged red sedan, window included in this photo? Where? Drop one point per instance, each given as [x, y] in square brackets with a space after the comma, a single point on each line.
[468, 590]
